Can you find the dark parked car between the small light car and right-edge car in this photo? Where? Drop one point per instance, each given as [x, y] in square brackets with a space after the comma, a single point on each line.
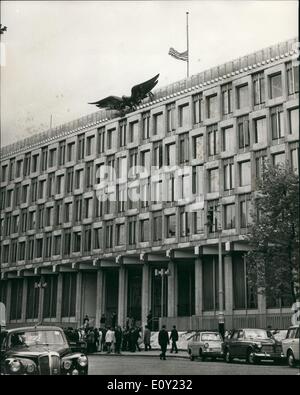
[254, 345]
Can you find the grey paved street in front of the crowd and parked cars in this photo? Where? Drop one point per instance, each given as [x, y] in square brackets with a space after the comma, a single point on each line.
[140, 365]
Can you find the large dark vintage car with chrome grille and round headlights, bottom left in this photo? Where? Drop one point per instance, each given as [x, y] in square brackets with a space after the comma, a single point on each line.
[39, 350]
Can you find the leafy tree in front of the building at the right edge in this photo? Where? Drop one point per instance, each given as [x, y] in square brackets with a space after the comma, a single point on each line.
[273, 262]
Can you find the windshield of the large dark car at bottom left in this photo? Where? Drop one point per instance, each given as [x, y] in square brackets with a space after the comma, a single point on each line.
[29, 338]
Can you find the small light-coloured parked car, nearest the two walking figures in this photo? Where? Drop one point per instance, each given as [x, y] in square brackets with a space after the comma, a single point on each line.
[205, 345]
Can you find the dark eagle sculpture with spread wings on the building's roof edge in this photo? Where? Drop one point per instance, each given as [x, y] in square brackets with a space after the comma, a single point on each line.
[129, 103]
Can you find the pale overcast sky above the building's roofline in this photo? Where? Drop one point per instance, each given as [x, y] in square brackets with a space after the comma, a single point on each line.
[56, 56]
